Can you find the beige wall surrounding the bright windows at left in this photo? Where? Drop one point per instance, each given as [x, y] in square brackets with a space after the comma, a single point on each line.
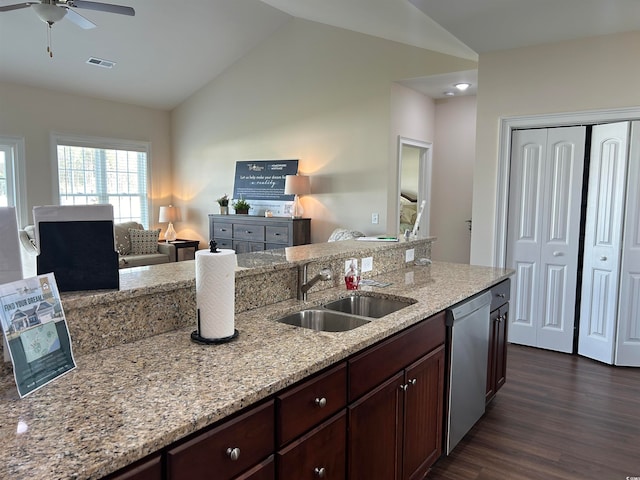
[34, 113]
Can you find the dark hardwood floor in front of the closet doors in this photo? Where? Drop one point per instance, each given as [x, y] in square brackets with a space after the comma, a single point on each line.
[558, 417]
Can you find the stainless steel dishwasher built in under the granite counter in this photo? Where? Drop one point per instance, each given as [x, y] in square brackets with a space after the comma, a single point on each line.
[468, 330]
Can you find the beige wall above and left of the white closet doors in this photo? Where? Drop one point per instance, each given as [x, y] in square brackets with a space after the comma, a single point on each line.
[590, 74]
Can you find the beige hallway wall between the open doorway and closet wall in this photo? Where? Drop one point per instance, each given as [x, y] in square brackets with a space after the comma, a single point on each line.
[452, 181]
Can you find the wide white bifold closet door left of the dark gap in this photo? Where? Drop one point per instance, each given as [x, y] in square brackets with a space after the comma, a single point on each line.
[543, 234]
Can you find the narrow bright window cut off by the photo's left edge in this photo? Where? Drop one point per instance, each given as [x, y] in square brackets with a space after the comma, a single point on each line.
[12, 189]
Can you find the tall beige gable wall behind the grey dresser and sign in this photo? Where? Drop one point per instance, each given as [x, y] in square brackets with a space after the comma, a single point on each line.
[321, 94]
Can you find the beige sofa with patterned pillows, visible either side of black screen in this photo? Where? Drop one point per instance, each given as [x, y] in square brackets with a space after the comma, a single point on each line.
[136, 247]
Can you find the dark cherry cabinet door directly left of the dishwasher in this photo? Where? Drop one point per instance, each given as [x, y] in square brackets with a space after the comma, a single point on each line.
[423, 414]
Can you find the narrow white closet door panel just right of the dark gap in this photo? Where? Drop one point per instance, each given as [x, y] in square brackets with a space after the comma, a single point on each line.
[603, 241]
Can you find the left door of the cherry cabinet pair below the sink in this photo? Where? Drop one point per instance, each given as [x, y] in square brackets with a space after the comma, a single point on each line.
[375, 432]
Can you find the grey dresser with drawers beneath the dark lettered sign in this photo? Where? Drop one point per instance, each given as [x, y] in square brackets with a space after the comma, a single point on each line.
[246, 233]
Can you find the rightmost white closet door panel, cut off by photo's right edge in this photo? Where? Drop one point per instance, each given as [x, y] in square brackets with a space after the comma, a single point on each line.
[628, 337]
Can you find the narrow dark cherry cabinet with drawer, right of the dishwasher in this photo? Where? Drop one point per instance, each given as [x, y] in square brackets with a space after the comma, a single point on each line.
[499, 321]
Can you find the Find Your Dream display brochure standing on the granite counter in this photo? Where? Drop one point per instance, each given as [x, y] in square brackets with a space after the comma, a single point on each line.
[36, 332]
